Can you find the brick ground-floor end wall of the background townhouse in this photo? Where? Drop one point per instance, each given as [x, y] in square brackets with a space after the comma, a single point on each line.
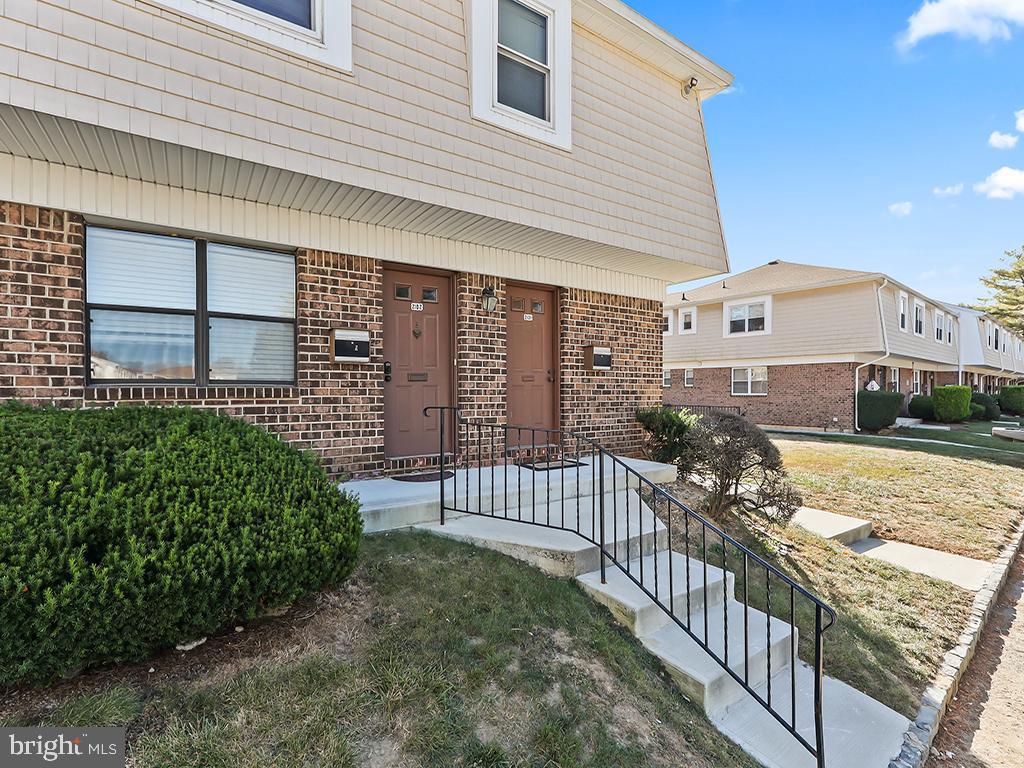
[808, 396]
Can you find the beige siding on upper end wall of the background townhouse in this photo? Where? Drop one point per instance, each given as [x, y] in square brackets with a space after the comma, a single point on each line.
[821, 323]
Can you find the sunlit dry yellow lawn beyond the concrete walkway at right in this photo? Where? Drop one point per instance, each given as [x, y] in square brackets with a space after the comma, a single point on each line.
[962, 503]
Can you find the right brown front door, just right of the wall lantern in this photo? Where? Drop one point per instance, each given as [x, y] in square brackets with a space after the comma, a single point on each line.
[533, 358]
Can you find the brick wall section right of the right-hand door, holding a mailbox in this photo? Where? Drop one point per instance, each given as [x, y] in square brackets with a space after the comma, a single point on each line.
[603, 405]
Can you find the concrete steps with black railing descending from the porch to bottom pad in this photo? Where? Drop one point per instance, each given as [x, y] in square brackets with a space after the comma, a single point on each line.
[860, 732]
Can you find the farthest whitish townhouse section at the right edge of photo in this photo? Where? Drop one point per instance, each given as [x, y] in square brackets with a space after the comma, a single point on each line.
[991, 355]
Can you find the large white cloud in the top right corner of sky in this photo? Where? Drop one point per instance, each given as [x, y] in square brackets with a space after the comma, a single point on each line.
[983, 20]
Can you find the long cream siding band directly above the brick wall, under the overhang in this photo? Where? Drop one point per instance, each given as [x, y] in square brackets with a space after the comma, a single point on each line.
[111, 199]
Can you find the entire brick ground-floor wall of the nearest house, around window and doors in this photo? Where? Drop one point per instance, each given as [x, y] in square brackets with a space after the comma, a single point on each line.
[336, 410]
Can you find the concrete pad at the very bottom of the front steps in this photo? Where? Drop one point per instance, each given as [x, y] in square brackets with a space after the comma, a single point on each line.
[860, 733]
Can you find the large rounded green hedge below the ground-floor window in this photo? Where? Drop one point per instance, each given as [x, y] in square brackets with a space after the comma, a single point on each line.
[130, 530]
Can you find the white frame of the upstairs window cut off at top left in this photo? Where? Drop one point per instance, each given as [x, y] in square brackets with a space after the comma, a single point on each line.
[329, 42]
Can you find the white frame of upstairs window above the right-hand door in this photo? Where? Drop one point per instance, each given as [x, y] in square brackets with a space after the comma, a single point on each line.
[558, 131]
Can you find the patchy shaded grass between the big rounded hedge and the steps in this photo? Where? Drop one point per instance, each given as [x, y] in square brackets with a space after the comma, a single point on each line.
[434, 655]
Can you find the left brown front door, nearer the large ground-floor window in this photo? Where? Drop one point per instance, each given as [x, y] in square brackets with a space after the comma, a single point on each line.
[417, 360]
